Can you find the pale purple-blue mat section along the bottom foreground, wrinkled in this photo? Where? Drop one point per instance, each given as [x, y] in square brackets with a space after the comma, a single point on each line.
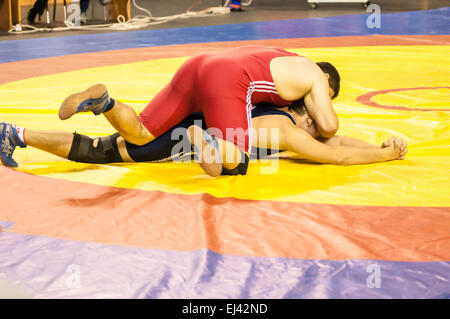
[53, 268]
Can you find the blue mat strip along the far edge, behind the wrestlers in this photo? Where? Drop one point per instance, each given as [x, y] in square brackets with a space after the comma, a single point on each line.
[405, 23]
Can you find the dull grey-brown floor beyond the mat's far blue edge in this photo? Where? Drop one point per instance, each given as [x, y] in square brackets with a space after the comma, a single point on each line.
[259, 10]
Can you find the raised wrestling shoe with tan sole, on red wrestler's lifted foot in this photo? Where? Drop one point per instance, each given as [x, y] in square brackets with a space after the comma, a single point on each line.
[95, 99]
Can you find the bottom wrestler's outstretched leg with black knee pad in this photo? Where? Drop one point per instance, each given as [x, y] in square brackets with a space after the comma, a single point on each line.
[108, 149]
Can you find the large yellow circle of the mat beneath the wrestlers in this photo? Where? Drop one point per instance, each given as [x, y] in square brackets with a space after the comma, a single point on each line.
[419, 180]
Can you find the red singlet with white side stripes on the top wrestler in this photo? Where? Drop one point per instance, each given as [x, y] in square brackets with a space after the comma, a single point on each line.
[221, 85]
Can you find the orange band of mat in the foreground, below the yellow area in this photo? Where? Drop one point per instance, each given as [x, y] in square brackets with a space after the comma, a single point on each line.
[93, 213]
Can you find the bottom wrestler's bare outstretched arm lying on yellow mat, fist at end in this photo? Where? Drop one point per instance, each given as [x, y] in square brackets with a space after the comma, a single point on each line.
[299, 141]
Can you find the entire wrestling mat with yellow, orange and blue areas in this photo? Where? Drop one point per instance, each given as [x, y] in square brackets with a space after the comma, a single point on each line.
[287, 229]
